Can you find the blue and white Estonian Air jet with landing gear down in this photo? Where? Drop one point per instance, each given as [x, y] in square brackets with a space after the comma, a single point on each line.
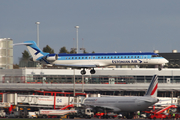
[93, 60]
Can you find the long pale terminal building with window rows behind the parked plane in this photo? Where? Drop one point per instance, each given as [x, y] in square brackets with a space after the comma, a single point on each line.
[106, 81]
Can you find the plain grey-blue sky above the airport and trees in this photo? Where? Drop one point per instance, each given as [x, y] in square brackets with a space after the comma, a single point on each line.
[104, 25]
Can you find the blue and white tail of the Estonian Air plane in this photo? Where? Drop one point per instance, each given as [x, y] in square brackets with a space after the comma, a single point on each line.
[35, 52]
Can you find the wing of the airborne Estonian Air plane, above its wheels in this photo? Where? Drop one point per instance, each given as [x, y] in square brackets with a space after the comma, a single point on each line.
[76, 66]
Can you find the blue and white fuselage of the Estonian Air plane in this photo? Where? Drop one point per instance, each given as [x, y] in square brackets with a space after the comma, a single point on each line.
[106, 59]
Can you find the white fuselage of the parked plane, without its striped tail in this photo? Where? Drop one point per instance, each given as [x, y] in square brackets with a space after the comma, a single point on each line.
[121, 103]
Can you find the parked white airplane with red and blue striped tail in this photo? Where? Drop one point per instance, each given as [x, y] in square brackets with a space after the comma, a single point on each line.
[125, 104]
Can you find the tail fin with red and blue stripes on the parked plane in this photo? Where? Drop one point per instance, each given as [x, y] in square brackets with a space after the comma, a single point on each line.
[152, 90]
